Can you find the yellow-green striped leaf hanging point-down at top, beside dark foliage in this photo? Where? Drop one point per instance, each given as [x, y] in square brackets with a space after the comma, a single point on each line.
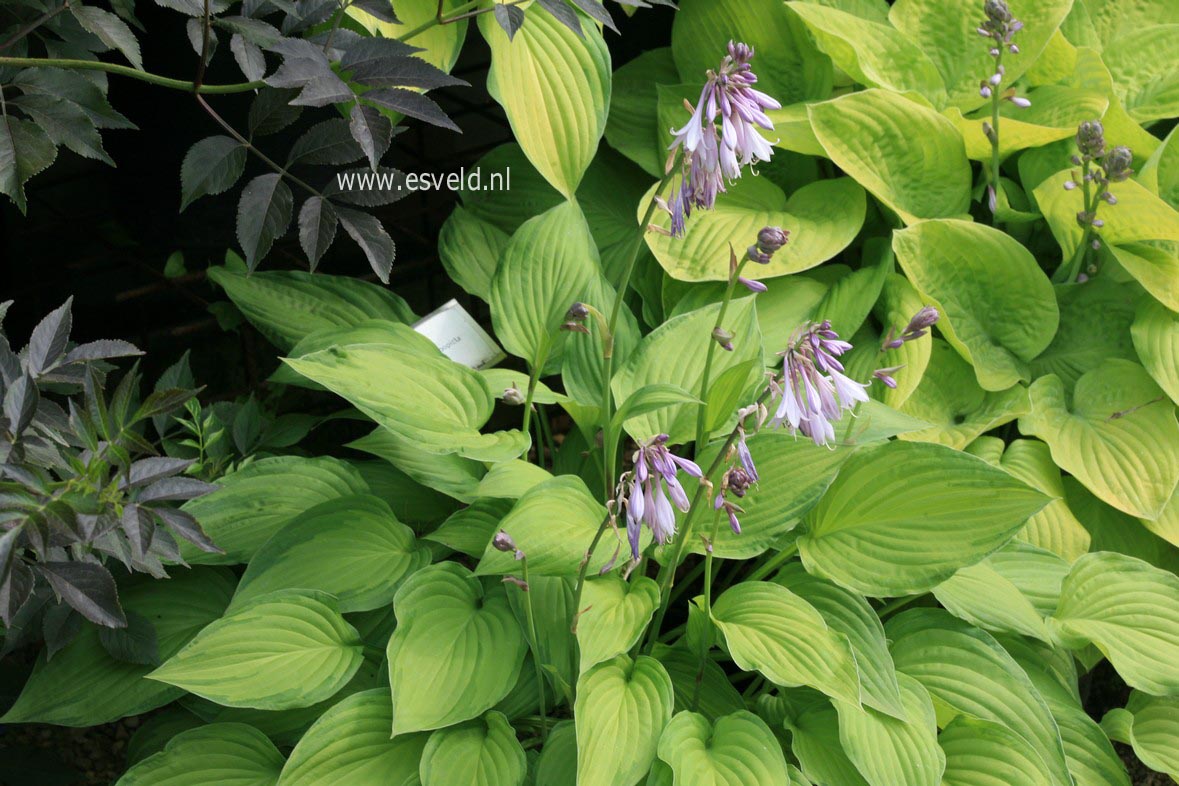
[555, 88]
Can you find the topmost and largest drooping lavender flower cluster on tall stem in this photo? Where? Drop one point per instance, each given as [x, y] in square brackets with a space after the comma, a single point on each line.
[712, 157]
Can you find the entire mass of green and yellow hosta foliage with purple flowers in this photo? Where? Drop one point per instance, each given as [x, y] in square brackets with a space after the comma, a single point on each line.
[839, 445]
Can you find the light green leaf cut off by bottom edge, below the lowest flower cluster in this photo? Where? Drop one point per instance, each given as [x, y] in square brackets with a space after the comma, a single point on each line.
[622, 710]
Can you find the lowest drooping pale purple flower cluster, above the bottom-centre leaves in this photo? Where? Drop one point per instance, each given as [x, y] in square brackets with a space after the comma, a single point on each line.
[655, 480]
